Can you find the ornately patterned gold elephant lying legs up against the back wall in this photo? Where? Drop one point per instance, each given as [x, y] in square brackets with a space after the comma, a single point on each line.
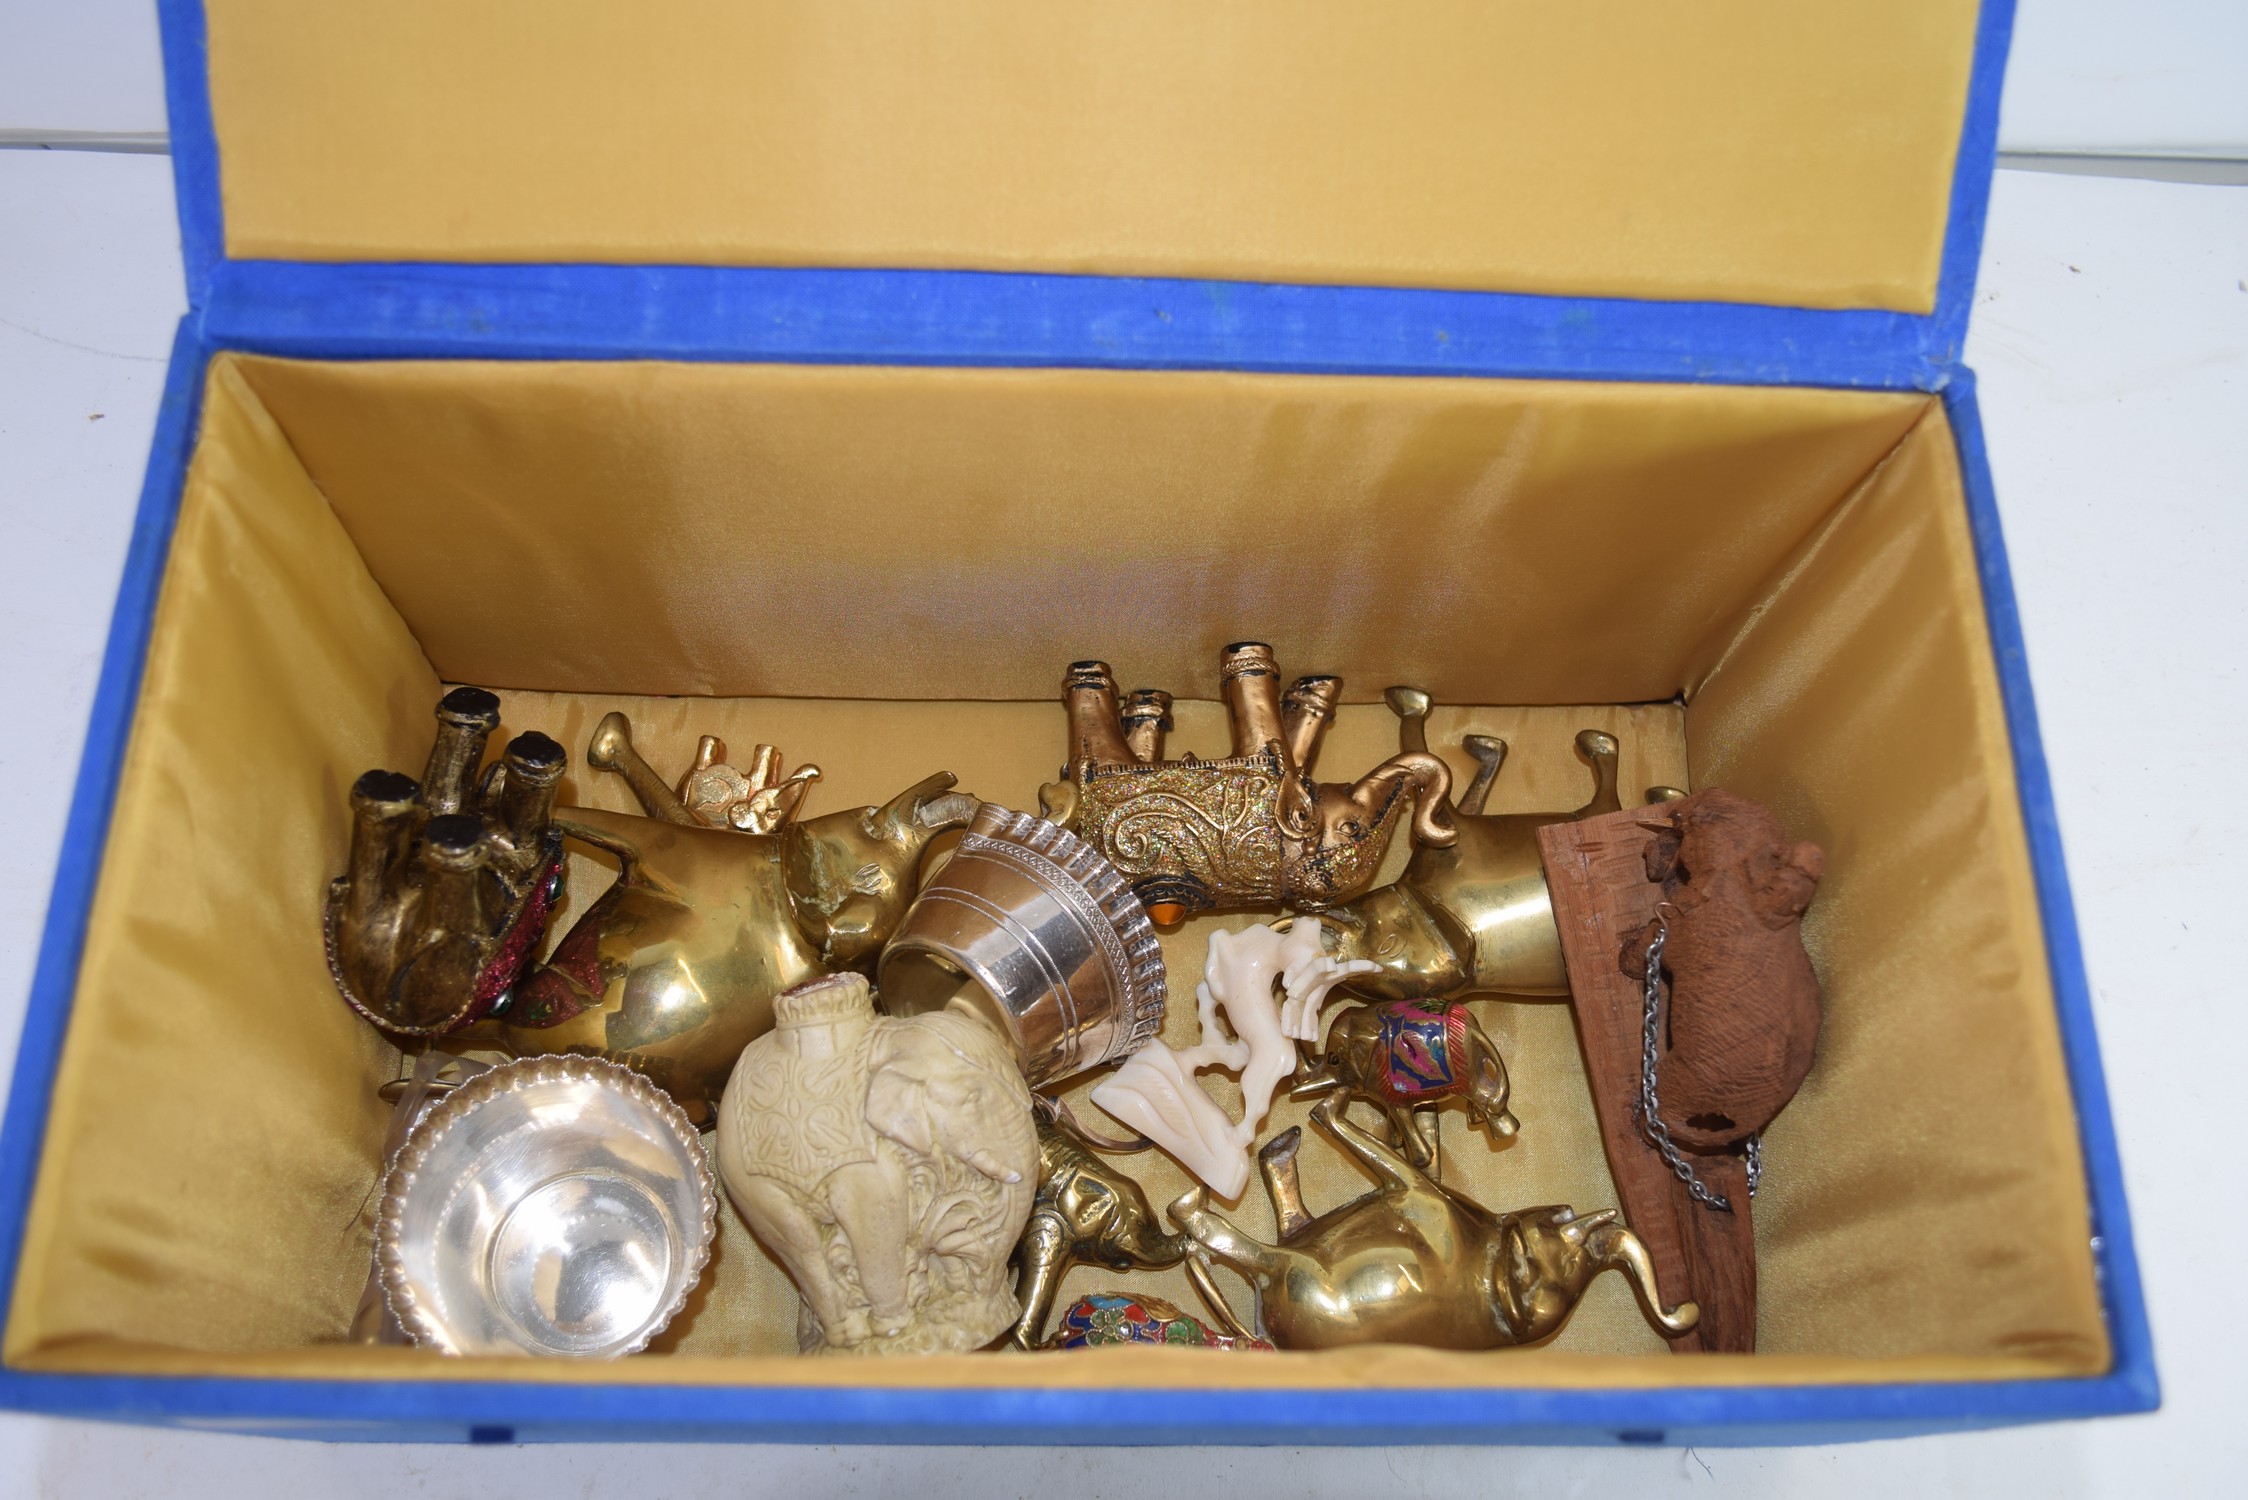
[1253, 831]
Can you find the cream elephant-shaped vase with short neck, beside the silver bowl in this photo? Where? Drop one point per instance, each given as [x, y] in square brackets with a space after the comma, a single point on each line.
[889, 1164]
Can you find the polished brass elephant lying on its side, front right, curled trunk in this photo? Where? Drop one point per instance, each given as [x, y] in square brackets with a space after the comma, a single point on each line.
[1415, 1263]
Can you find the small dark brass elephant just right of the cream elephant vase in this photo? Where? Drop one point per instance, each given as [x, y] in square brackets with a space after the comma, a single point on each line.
[1085, 1216]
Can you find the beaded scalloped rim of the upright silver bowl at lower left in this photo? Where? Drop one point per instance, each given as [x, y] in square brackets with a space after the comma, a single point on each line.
[433, 1128]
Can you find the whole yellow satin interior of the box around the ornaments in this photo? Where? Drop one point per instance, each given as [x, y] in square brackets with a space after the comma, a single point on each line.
[885, 572]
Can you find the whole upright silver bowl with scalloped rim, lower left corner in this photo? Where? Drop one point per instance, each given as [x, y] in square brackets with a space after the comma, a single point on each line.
[550, 1207]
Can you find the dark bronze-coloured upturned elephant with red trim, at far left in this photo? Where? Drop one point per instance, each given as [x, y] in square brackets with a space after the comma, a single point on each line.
[451, 878]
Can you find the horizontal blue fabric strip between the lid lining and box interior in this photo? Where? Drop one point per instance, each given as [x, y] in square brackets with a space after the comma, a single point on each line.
[372, 311]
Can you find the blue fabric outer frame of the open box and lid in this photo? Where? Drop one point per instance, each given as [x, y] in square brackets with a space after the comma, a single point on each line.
[959, 309]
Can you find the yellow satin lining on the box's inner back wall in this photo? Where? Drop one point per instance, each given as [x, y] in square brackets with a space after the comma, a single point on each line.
[851, 532]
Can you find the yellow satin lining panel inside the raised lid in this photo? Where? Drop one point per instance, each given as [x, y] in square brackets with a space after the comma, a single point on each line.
[1730, 150]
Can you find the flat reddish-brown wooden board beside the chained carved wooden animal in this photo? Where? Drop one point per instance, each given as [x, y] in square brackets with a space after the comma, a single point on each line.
[1602, 894]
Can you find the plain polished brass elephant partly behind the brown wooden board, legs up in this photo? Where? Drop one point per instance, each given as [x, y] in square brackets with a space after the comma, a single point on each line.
[1474, 914]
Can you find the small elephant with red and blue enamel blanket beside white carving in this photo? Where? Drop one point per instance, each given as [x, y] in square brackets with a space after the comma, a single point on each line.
[1411, 1056]
